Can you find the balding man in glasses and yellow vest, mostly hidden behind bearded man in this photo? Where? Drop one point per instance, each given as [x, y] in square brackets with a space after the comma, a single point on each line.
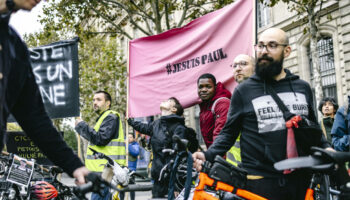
[243, 68]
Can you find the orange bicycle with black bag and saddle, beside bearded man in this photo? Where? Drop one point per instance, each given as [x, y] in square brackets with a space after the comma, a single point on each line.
[320, 163]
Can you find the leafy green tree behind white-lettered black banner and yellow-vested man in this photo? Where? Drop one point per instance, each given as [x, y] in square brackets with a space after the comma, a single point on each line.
[100, 68]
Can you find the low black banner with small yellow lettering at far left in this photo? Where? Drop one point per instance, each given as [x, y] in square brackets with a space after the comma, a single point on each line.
[20, 144]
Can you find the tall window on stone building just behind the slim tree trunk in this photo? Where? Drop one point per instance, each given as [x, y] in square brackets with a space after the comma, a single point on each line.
[327, 68]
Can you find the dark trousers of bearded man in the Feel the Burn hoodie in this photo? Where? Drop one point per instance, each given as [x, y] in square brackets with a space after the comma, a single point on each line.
[288, 187]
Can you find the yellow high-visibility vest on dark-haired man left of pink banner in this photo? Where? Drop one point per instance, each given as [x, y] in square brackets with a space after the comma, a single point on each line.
[115, 149]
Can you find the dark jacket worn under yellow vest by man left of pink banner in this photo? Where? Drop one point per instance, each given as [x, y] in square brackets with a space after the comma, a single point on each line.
[108, 130]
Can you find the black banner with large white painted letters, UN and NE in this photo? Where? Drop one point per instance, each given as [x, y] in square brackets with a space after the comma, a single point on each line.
[55, 67]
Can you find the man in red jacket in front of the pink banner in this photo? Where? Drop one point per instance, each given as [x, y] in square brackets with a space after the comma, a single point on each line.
[214, 107]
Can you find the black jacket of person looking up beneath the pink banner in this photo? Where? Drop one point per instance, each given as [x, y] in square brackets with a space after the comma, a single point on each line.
[161, 138]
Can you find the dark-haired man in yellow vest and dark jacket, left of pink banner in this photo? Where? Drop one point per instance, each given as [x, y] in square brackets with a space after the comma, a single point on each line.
[106, 137]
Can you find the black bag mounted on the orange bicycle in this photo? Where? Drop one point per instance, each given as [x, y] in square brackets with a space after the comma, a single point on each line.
[227, 173]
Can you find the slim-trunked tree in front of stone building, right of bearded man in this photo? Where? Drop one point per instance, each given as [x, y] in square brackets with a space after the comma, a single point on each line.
[312, 9]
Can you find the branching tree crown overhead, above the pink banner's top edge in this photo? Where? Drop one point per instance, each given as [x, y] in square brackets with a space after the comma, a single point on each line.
[111, 16]
